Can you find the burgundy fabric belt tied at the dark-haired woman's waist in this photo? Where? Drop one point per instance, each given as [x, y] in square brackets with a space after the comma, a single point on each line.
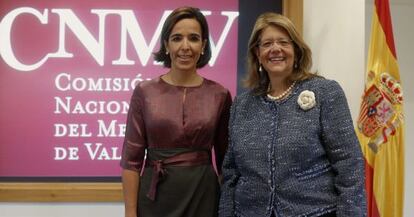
[195, 158]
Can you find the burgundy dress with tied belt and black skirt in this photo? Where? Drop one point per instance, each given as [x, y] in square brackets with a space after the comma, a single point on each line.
[176, 128]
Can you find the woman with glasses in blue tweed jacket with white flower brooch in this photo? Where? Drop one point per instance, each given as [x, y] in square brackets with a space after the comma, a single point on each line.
[293, 150]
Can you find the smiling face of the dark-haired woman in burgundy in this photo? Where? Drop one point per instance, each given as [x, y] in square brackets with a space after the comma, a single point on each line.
[185, 45]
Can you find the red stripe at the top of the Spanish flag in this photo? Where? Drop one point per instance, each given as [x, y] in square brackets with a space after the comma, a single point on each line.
[384, 16]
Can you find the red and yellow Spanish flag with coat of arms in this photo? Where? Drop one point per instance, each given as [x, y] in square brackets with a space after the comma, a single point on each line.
[380, 126]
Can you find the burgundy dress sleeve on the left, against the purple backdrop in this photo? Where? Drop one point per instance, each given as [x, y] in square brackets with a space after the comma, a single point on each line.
[134, 146]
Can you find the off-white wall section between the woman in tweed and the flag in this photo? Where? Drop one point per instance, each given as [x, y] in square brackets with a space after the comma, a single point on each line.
[334, 30]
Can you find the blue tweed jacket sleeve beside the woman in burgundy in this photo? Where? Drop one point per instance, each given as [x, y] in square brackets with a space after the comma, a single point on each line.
[230, 173]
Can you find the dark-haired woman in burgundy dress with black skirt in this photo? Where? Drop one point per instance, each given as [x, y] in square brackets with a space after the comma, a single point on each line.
[174, 121]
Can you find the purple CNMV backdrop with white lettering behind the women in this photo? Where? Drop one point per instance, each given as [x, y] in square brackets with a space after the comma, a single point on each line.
[67, 71]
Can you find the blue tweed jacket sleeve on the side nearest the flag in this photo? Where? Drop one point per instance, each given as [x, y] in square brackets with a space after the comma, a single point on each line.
[343, 150]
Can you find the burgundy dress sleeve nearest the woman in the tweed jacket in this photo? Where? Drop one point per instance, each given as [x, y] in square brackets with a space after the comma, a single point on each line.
[221, 136]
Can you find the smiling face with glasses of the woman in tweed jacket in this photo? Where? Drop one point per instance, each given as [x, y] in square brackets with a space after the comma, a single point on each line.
[276, 52]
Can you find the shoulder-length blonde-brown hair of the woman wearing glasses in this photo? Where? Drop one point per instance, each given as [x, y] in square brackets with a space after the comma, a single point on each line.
[259, 81]
